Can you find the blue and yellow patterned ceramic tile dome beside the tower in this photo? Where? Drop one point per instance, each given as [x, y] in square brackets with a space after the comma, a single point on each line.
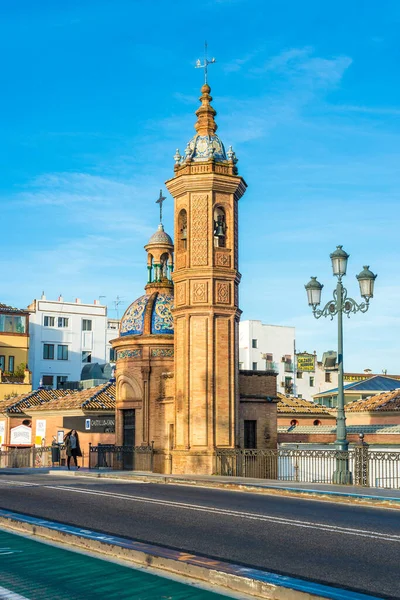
[161, 321]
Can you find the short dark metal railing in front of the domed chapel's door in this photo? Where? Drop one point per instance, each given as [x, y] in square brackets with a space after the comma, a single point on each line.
[119, 458]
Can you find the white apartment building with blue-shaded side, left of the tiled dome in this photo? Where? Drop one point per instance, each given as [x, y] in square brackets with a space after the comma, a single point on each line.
[64, 336]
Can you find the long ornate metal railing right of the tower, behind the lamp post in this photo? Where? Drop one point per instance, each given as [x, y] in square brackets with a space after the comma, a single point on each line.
[369, 468]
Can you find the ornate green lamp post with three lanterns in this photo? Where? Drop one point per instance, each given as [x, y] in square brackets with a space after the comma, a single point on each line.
[339, 306]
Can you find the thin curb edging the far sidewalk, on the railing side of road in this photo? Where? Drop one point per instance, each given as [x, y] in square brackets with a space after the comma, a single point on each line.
[327, 495]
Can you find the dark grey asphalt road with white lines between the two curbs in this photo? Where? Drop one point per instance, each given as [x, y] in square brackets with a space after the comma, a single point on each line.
[348, 546]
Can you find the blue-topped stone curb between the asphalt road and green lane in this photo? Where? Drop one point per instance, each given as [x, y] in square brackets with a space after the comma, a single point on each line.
[257, 583]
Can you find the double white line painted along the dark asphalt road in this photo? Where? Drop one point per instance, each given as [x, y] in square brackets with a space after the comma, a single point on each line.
[223, 512]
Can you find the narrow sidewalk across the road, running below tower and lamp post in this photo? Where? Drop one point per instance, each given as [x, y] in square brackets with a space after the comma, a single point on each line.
[321, 491]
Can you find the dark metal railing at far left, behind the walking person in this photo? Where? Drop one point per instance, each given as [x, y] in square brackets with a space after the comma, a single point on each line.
[40, 457]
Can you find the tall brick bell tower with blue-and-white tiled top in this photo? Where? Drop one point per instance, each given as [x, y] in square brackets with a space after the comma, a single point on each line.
[206, 188]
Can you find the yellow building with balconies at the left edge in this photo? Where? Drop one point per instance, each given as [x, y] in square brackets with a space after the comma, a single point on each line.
[14, 347]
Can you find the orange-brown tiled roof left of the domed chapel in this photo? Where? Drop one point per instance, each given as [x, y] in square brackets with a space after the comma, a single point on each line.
[101, 397]
